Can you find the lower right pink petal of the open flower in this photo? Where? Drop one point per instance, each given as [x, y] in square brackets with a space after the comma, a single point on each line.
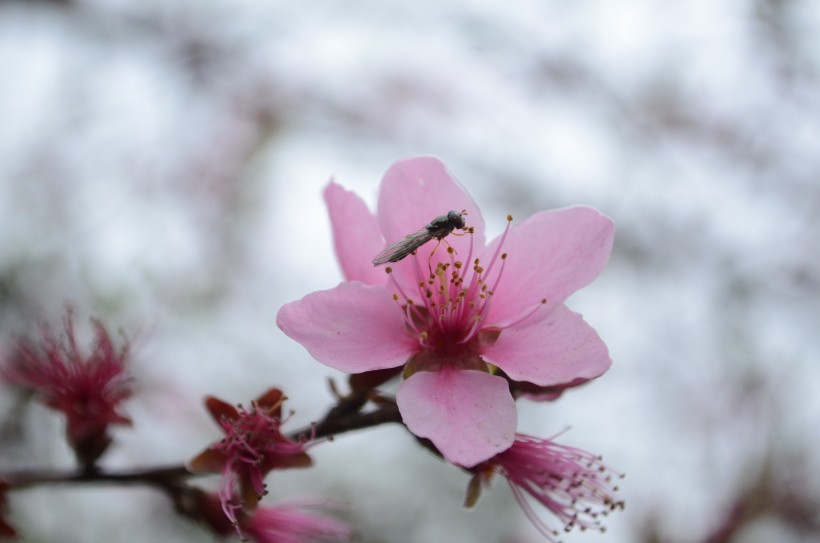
[551, 351]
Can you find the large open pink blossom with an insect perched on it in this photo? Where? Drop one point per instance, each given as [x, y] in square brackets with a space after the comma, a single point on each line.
[456, 318]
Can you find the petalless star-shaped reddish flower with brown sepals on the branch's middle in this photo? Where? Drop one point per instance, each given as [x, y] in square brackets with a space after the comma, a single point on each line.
[253, 446]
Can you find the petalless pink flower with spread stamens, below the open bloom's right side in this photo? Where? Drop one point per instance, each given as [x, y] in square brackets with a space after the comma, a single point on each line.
[574, 485]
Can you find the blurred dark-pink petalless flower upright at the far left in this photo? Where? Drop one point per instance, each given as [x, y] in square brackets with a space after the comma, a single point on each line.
[88, 389]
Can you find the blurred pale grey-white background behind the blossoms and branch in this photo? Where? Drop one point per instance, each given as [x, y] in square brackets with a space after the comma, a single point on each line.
[161, 167]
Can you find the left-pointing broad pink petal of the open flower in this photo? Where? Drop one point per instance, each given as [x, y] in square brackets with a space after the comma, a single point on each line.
[353, 327]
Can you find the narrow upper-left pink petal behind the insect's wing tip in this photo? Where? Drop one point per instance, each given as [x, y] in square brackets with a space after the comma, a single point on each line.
[356, 235]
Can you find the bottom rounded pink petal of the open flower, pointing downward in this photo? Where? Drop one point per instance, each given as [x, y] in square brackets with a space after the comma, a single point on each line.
[469, 415]
